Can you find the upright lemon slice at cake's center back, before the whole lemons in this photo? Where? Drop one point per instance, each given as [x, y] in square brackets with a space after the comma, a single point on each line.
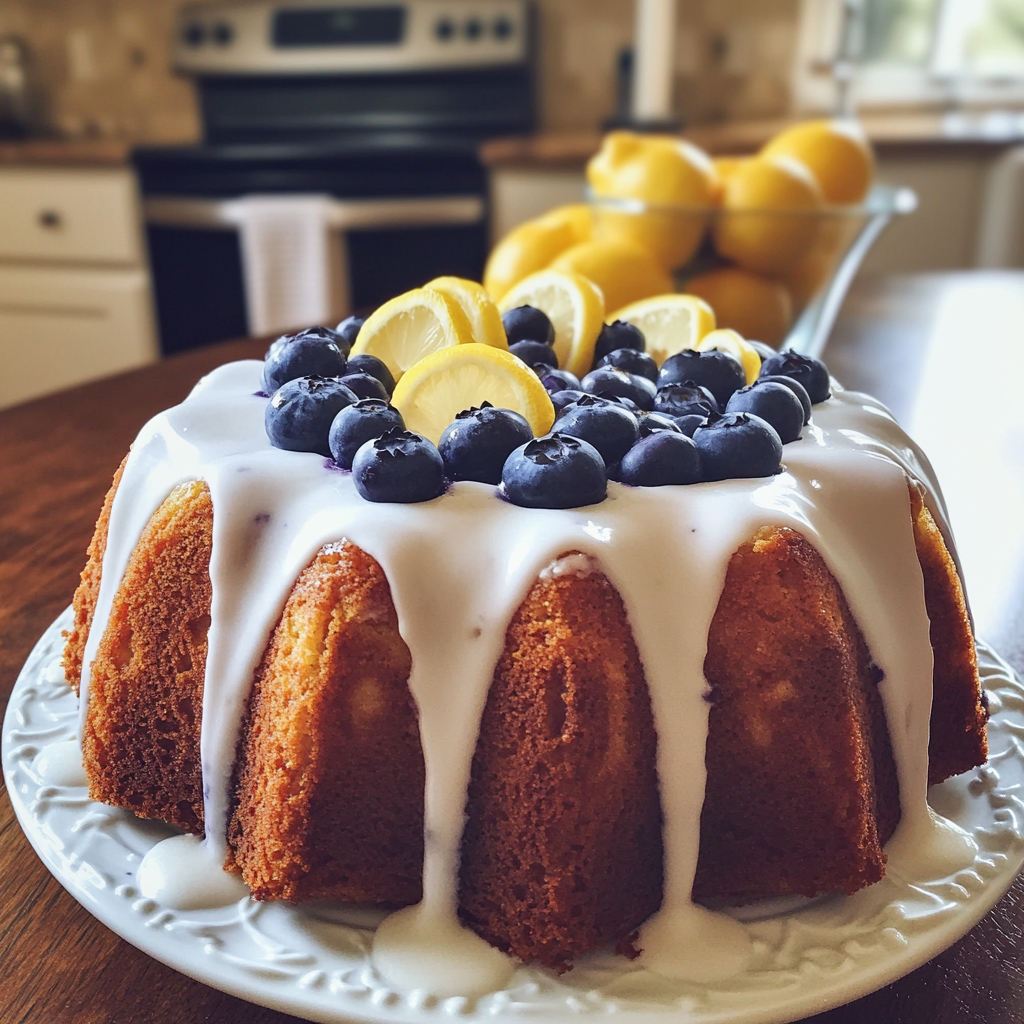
[574, 305]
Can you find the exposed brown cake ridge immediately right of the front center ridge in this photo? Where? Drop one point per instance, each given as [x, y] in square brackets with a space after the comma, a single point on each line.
[802, 791]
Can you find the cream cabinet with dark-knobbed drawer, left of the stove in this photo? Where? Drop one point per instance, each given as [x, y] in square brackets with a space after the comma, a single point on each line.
[75, 295]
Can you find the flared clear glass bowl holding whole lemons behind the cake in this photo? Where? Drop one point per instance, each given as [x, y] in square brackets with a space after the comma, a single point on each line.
[778, 276]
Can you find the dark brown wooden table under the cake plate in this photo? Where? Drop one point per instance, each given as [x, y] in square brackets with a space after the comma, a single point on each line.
[58, 964]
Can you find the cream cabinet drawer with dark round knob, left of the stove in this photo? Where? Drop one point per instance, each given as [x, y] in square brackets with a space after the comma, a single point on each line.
[70, 217]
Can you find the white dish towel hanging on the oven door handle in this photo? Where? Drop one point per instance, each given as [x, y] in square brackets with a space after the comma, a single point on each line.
[292, 262]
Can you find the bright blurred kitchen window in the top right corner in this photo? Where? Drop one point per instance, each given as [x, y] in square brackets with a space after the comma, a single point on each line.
[913, 52]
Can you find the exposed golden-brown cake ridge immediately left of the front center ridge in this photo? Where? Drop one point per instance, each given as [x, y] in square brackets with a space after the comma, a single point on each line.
[330, 776]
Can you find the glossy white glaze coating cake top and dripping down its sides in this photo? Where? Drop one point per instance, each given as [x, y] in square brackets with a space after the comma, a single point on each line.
[460, 566]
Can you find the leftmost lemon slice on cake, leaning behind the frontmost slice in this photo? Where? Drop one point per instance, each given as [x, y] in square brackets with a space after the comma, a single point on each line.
[411, 326]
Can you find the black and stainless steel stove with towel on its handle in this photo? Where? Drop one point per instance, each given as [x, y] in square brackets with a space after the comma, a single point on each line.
[366, 116]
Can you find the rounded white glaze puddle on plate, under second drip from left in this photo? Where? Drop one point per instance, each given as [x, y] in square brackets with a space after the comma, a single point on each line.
[183, 873]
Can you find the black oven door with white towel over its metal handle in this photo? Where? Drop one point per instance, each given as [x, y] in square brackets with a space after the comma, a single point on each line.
[221, 219]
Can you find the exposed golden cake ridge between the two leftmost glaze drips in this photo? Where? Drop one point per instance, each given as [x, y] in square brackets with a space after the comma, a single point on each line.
[141, 746]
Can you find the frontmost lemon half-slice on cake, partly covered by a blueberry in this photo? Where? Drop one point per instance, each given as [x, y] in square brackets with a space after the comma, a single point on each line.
[441, 387]
